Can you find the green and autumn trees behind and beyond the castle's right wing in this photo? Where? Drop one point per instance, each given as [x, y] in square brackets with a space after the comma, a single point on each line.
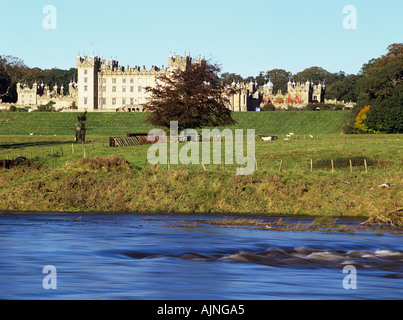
[377, 90]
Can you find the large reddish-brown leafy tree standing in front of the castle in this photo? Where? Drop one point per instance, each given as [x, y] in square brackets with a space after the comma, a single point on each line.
[194, 97]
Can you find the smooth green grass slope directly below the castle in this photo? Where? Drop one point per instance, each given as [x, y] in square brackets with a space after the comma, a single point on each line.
[119, 124]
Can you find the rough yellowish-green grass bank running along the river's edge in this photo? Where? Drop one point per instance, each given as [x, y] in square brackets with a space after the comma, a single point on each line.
[112, 185]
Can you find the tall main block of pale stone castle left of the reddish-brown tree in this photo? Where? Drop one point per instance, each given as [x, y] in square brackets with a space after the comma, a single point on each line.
[110, 87]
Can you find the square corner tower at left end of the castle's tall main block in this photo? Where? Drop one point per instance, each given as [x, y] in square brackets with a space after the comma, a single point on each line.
[88, 82]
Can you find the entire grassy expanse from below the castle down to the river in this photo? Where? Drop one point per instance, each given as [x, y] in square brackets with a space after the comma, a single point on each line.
[121, 180]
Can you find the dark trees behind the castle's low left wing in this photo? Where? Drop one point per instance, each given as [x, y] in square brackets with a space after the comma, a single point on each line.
[13, 70]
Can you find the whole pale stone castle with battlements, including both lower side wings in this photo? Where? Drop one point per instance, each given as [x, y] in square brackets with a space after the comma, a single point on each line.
[107, 86]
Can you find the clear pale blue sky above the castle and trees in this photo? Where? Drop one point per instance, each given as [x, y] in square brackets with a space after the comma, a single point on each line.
[244, 37]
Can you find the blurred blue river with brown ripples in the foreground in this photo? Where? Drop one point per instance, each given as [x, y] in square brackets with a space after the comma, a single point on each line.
[150, 257]
